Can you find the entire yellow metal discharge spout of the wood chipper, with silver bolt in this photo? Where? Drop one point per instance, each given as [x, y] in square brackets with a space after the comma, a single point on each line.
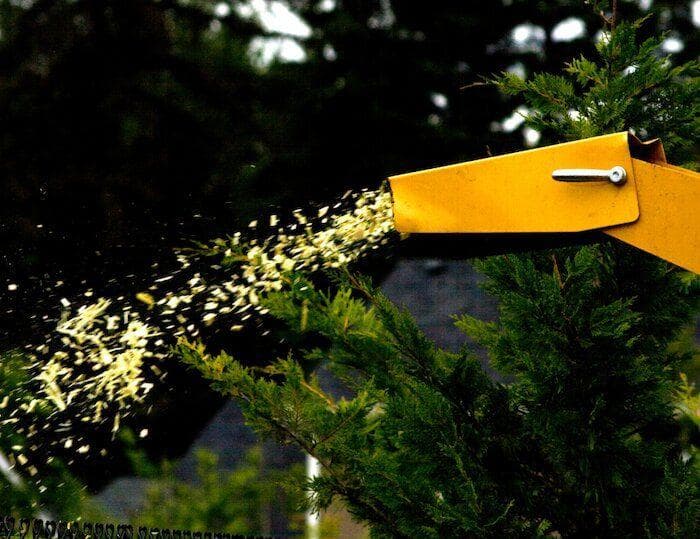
[613, 183]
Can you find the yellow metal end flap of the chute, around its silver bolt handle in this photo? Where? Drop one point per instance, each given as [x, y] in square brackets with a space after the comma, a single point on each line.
[516, 192]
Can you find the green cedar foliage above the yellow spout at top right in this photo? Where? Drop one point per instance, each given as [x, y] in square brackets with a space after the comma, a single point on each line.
[631, 85]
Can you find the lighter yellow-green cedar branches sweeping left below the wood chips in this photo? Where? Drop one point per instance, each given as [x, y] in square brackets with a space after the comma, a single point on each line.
[395, 452]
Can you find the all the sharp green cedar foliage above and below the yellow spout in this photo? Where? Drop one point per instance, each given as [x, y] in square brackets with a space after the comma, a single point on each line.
[582, 440]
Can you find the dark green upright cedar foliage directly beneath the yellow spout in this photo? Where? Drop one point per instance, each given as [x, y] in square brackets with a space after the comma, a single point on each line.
[585, 334]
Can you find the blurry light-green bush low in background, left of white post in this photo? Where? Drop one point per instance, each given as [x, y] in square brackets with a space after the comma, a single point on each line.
[235, 501]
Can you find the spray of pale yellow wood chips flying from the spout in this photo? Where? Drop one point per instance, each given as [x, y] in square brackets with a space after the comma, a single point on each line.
[101, 362]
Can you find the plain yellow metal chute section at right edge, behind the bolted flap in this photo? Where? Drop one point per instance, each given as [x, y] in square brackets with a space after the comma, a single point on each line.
[669, 221]
